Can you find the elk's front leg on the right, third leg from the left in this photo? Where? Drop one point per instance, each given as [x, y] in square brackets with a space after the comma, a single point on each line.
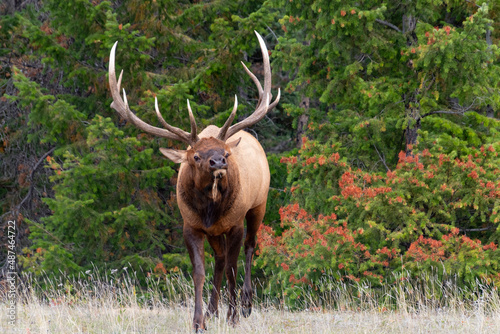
[233, 245]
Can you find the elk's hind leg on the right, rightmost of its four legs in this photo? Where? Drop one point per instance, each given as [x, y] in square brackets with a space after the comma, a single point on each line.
[254, 218]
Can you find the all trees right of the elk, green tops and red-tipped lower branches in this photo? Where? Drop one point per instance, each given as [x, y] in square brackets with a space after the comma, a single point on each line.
[360, 211]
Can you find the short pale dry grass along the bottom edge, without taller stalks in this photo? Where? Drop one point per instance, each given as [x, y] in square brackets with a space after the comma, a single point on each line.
[36, 318]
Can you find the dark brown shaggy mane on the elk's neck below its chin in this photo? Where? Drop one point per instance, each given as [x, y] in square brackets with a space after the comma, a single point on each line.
[200, 201]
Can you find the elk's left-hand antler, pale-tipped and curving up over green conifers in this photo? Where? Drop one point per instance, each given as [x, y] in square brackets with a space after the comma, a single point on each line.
[121, 106]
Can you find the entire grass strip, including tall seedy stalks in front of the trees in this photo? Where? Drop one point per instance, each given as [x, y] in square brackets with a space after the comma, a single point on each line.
[111, 305]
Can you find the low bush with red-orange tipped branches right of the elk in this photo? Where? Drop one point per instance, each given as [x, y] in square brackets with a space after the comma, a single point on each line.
[417, 216]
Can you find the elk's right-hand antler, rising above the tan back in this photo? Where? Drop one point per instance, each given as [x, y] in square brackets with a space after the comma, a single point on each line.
[265, 96]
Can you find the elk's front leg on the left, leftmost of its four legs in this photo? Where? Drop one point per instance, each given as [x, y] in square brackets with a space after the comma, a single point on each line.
[194, 243]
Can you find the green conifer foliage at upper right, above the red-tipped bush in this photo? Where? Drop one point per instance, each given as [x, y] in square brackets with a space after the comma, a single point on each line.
[374, 78]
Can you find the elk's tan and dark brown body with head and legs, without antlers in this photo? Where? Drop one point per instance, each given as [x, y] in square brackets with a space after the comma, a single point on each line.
[242, 193]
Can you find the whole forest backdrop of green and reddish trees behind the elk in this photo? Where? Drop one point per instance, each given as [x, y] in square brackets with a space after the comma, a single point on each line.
[383, 150]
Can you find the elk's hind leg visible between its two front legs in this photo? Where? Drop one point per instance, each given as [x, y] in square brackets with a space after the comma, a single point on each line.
[219, 246]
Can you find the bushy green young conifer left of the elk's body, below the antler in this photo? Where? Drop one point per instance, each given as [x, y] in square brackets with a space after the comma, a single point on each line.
[106, 207]
